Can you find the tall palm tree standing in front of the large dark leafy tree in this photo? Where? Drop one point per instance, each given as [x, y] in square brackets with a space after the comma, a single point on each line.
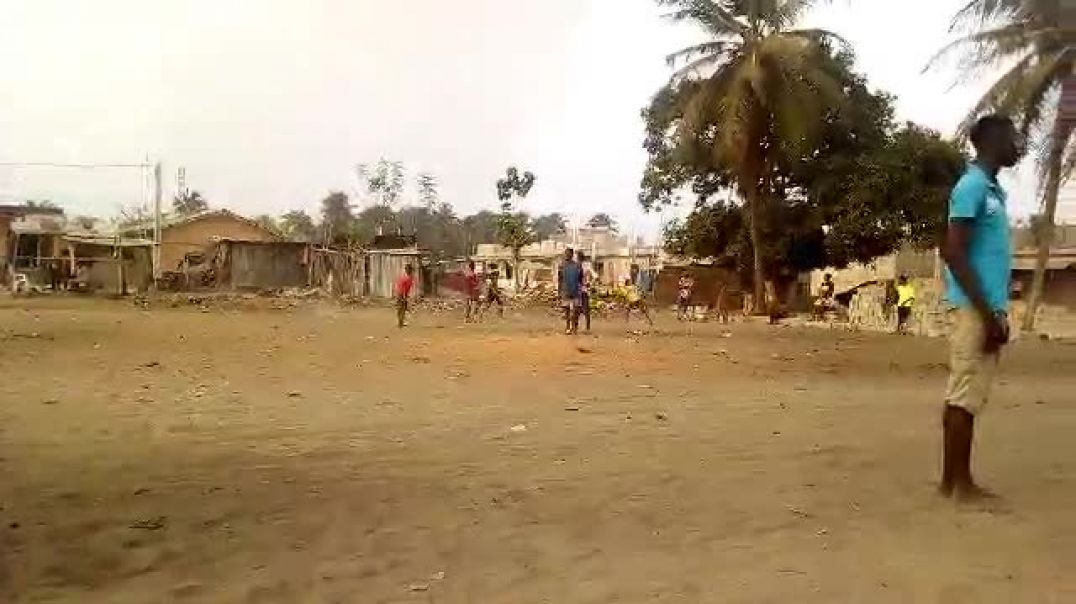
[760, 78]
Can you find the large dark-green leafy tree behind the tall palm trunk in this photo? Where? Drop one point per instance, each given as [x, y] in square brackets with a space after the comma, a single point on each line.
[865, 188]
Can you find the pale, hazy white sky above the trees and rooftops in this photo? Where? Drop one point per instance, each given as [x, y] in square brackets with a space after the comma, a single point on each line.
[270, 105]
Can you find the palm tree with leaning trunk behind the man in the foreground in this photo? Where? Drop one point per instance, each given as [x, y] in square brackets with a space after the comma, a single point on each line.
[1039, 48]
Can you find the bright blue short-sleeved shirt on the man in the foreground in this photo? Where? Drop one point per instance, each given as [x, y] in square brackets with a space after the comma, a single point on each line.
[979, 199]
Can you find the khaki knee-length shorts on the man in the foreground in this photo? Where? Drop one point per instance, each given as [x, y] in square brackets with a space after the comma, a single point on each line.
[971, 372]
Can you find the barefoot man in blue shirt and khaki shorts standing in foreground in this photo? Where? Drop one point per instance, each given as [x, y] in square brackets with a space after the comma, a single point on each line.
[979, 259]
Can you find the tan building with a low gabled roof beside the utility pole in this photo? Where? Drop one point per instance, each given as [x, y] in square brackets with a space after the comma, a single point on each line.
[197, 233]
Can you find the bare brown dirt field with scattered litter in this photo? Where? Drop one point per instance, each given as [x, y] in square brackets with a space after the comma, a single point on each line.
[321, 456]
